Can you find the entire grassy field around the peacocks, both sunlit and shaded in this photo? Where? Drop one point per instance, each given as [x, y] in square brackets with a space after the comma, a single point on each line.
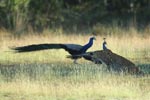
[49, 75]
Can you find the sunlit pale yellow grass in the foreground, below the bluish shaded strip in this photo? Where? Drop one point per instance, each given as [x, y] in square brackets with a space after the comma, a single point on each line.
[98, 89]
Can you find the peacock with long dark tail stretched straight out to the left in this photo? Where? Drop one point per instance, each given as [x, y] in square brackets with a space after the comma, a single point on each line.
[73, 49]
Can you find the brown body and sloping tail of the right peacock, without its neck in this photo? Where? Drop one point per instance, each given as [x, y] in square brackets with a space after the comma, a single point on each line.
[113, 61]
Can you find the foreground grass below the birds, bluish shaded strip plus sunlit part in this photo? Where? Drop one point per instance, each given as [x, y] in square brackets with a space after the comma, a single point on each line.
[69, 81]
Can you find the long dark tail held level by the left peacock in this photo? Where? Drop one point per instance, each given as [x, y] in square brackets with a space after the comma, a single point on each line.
[36, 47]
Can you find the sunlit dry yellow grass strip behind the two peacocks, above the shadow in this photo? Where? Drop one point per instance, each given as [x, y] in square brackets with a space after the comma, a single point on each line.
[133, 47]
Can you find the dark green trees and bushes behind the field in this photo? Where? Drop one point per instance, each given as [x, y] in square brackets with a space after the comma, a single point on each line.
[72, 15]
